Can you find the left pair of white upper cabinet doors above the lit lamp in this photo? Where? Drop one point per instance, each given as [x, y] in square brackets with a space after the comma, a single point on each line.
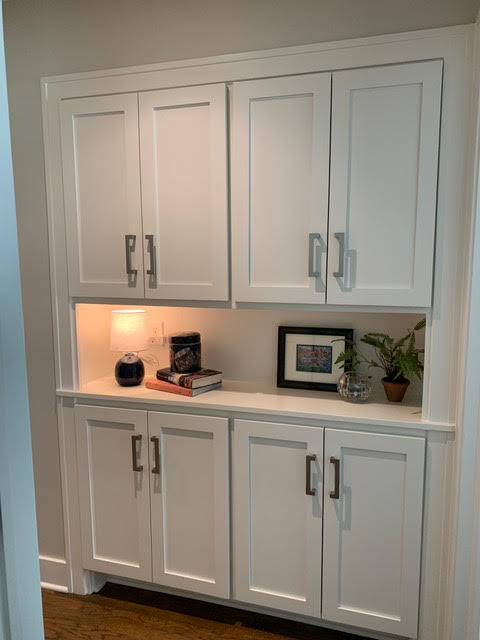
[145, 194]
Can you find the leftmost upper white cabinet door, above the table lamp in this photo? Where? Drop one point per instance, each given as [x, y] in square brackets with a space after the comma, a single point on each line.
[101, 180]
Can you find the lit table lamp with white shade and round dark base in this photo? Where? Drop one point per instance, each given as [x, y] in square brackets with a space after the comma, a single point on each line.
[128, 334]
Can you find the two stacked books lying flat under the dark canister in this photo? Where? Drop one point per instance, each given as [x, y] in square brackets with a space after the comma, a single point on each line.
[186, 384]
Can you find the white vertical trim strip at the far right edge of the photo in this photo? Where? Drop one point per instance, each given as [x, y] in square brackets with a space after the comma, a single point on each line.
[464, 608]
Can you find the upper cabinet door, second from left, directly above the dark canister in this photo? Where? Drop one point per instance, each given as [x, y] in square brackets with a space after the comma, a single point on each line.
[183, 141]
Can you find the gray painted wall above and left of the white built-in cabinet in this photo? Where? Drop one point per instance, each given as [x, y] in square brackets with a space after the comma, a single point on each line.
[60, 36]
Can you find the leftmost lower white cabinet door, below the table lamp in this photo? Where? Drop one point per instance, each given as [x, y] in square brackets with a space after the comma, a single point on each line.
[112, 456]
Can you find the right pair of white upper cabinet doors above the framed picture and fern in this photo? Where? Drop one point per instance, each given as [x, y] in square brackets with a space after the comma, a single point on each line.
[366, 168]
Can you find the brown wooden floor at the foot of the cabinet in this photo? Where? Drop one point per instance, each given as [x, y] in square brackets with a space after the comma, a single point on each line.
[122, 613]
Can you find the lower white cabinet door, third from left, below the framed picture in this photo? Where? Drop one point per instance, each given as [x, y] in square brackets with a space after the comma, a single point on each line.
[277, 481]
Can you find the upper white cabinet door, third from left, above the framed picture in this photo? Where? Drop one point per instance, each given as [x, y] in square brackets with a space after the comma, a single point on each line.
[280, 165]
